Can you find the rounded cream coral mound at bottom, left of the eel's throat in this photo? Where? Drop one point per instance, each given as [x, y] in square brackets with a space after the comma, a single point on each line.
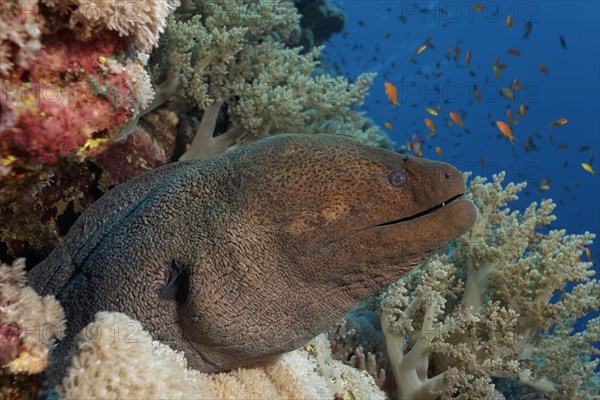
[116, 358]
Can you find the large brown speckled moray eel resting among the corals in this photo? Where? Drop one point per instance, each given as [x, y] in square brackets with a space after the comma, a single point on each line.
[255, 251]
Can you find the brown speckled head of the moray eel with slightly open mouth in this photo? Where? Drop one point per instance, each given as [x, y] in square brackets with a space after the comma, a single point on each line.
[327, 195]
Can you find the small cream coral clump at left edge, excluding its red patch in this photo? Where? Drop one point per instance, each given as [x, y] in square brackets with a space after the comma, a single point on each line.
[38, 319]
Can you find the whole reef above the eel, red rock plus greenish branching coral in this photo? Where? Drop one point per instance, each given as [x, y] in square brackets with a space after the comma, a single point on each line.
[80, 111]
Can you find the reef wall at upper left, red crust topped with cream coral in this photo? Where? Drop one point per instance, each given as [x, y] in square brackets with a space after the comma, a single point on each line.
[70, 83]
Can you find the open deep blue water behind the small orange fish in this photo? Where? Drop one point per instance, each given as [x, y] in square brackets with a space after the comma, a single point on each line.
[570, 90]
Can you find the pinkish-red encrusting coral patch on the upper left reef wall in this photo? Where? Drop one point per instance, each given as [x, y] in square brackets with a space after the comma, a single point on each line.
[65, 98]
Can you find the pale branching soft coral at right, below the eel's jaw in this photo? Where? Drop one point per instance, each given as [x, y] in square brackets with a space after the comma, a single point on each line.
[486, 308]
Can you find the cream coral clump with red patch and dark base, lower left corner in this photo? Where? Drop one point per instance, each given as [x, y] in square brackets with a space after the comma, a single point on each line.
[28, 326]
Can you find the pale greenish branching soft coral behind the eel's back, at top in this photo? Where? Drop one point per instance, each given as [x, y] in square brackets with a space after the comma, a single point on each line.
[230, 56]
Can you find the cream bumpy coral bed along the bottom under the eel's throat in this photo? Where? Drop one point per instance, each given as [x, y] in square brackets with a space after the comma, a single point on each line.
[116, 358]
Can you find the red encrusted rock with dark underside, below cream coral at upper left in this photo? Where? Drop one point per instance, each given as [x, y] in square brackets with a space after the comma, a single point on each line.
[60, 110]
